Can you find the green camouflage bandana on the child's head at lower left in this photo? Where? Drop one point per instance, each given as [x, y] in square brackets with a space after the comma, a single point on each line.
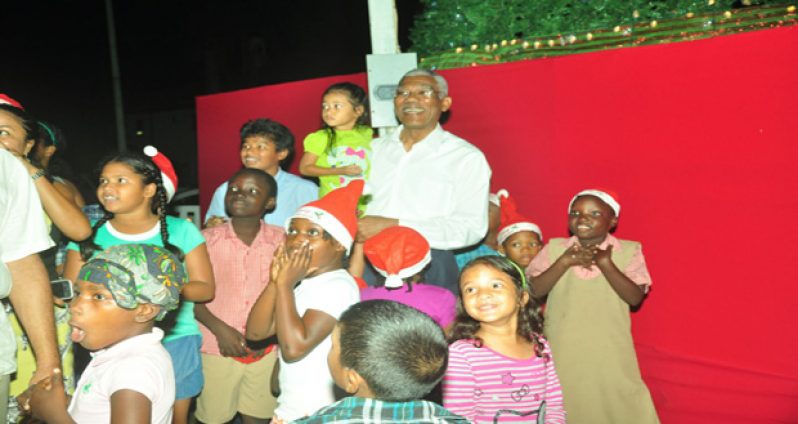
[138, 273]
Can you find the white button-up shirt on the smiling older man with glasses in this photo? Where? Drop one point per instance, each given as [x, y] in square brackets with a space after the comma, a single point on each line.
[439, 188]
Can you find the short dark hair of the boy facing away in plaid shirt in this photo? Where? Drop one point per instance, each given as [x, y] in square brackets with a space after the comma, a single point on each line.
[399, 351]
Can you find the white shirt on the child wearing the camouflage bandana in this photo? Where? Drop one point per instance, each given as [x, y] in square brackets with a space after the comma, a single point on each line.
[140, 364]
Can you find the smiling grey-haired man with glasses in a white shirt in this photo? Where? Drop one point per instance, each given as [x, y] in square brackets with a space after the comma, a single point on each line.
[428, 179]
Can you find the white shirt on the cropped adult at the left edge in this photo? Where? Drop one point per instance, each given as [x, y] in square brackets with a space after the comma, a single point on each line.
[22, 233]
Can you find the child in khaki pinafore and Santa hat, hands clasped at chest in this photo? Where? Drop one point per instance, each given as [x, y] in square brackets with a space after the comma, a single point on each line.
[592, 279]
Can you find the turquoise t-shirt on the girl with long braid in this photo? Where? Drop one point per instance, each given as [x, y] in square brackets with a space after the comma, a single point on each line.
[182, 234]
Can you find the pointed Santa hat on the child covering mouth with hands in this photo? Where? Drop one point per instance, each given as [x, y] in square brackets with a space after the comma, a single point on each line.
[336, 212]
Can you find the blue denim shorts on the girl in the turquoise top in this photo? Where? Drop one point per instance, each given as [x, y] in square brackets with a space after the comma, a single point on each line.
[187, 363]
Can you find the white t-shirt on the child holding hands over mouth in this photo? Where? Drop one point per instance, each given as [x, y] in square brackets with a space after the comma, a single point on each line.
[306, 385]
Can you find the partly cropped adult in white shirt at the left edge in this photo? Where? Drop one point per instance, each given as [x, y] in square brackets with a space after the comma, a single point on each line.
[22, 275]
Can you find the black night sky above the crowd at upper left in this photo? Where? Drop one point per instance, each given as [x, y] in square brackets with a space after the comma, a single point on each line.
[56, 58]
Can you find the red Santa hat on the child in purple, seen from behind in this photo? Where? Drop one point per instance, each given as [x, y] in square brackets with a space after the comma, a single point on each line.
[396, 253]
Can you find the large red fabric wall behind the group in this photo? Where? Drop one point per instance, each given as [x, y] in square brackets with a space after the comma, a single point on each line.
[699, 140]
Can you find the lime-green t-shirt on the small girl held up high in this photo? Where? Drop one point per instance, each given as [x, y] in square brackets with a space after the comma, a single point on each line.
[352, 147]
